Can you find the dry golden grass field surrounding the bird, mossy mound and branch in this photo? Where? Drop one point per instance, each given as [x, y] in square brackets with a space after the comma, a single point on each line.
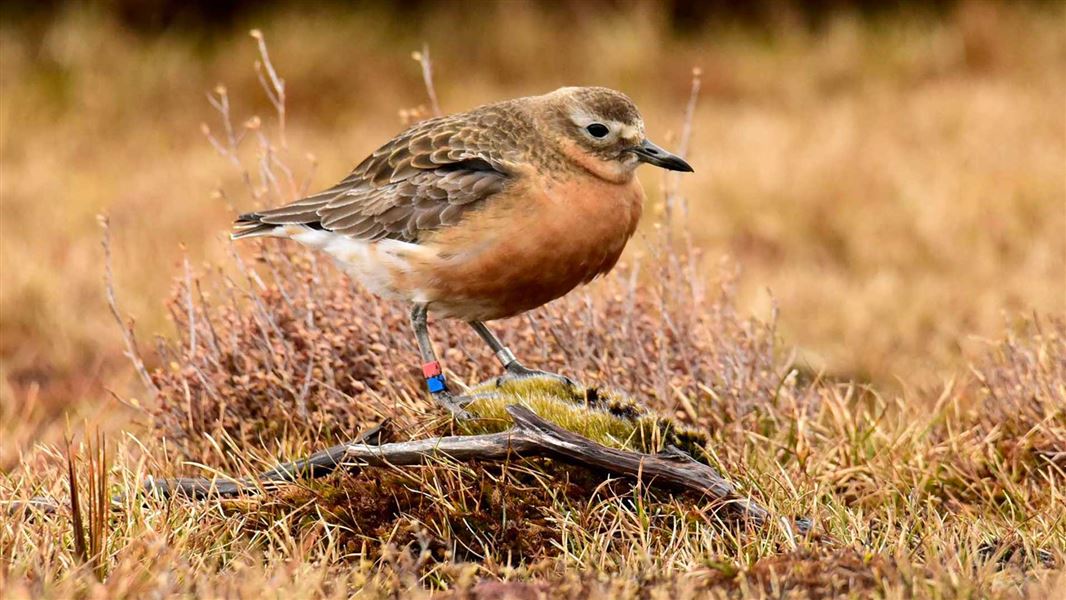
[891, 192]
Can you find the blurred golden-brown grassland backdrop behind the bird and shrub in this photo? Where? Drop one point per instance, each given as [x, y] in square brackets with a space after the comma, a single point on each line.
[891, 175]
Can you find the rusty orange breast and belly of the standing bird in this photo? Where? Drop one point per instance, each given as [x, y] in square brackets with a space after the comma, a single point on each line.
[529, 247]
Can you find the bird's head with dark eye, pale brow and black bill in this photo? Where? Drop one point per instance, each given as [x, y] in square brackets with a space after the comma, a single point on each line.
[603, 131]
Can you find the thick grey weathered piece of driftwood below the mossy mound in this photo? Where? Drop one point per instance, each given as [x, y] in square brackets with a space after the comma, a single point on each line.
[534, 436]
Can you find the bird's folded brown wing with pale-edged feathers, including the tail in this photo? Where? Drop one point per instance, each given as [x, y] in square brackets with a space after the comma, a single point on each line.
[427, 177]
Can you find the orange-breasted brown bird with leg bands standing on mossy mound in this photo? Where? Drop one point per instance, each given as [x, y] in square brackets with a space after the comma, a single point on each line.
[483, 215]
